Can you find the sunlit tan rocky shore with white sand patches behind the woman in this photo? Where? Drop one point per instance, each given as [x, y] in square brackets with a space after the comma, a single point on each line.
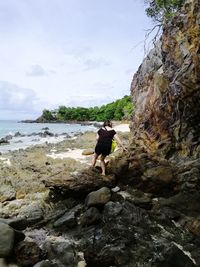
[32, 165]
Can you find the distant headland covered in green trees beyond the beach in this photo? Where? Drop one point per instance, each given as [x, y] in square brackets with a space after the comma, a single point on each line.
[117, 110]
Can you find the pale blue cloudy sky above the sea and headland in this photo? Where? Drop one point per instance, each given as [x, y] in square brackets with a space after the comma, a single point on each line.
[67, 52]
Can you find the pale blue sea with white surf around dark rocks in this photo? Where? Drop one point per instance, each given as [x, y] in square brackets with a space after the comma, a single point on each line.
[30, 133]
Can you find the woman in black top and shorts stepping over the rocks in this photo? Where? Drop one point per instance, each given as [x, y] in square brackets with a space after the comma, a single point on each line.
[104, 138]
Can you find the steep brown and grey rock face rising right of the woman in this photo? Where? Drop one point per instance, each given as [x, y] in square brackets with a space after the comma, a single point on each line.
[166, 89]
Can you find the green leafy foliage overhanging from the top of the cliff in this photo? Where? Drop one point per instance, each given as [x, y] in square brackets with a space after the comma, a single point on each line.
[162, 10]
